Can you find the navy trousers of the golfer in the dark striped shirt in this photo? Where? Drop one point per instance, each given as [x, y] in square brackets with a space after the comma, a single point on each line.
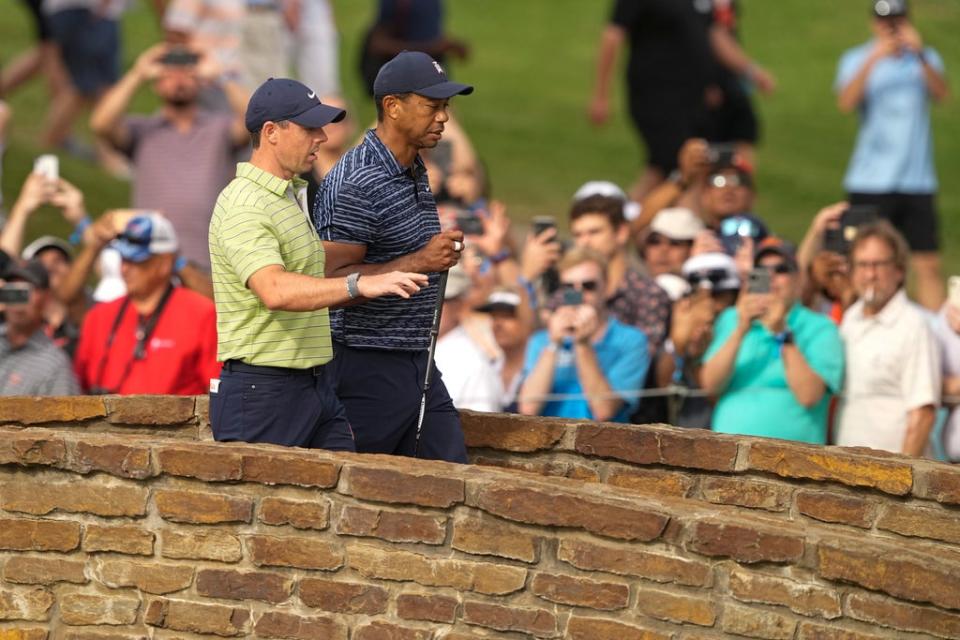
[381, 392]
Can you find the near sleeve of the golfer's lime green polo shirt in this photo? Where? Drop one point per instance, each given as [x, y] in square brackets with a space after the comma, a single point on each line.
[250, 243]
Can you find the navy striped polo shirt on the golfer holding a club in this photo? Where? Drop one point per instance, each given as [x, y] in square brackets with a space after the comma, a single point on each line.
[369, 198]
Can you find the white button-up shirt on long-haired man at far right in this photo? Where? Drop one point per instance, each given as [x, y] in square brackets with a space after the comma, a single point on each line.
[893, 366]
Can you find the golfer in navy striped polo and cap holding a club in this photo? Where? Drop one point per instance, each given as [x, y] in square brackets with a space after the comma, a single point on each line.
[375, 212]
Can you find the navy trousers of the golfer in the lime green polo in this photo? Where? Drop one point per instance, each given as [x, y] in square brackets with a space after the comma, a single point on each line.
[280, 406]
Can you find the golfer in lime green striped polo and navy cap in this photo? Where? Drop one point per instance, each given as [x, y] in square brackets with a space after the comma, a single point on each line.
[269, 286]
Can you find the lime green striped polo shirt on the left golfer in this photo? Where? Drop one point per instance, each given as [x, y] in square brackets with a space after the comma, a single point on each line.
[257, 223]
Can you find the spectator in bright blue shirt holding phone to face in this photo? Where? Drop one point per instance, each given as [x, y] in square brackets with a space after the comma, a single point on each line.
[596, 363]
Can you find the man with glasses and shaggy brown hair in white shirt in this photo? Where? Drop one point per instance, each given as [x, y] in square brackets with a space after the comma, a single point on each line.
[893, 379]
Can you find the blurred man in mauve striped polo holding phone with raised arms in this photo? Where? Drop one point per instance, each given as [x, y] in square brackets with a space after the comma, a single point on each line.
[185, 192]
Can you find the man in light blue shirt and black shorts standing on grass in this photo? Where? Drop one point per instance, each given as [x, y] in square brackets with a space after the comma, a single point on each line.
[890, 81]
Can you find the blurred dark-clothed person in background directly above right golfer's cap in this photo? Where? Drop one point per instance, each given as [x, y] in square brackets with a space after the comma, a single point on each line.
[407, 25]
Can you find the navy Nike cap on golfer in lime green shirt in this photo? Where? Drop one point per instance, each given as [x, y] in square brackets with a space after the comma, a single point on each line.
[280, 99]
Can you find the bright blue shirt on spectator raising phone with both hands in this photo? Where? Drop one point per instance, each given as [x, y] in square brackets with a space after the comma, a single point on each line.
[623, 357]
